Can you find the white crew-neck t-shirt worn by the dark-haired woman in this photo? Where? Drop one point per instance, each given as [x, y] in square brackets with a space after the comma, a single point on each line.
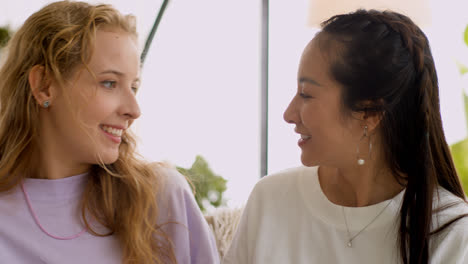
[288, 219]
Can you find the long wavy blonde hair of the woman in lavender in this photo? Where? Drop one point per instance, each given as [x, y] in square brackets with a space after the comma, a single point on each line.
[122, 195]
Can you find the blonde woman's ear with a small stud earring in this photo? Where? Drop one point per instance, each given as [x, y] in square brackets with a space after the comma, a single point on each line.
[41, 86]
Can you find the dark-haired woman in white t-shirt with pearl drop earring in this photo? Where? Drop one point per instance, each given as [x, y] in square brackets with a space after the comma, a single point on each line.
[379, 184]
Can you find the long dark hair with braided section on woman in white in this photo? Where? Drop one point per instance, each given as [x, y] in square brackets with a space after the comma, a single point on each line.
[384, 63]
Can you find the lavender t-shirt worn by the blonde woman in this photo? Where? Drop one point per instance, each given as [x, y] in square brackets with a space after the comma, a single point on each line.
[56, 205]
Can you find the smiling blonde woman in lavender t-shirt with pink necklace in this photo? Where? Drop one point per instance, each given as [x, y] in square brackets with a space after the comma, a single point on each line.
[72, 189]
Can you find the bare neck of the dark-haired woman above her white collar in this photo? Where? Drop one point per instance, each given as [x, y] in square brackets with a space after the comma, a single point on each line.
[358, 186]
